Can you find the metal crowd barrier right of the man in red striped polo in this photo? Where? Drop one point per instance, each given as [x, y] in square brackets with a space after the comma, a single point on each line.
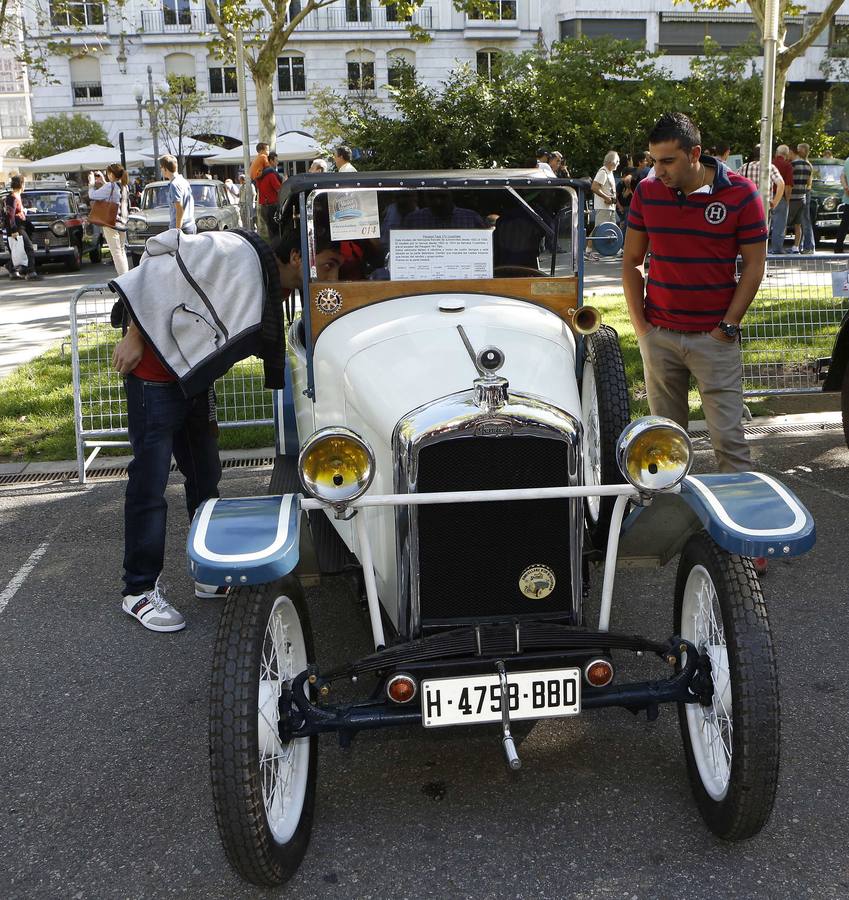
[792, 323]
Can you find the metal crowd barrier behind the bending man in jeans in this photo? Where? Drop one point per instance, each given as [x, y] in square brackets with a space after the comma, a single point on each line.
[100, 405]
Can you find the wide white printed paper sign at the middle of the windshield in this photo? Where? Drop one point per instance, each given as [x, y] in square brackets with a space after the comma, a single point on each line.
[423, 255]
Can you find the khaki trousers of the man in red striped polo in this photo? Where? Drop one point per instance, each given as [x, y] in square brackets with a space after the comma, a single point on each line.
[669, 358]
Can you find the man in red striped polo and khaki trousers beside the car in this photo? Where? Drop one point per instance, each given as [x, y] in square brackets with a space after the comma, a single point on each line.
[695, 216]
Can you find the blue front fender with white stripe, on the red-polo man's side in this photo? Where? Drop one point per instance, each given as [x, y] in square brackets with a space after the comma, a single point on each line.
[744, 512]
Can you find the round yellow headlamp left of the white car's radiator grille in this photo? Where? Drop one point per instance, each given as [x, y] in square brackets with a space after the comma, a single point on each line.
[336, 465]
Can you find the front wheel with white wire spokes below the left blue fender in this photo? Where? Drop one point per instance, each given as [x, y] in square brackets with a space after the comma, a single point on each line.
[239, 778]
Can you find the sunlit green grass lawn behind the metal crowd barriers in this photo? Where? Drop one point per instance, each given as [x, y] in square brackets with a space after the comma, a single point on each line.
[784, 334]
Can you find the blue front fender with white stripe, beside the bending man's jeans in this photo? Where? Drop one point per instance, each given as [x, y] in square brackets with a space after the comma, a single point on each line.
[244, 540]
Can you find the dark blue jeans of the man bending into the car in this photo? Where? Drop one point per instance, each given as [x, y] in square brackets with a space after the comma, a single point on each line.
[161, 422]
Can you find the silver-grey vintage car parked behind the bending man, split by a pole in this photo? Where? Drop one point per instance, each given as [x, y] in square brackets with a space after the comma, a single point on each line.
[213, 212]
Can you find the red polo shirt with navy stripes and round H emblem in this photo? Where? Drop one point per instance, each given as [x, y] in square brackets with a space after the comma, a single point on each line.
[694, 241]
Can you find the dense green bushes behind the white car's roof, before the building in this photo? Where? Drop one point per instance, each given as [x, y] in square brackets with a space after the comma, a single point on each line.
[583, 98]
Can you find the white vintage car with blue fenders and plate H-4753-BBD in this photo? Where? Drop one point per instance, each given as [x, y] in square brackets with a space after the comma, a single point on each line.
[456, 429]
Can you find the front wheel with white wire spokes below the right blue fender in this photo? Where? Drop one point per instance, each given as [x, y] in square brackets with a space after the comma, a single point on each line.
[735, 800]
